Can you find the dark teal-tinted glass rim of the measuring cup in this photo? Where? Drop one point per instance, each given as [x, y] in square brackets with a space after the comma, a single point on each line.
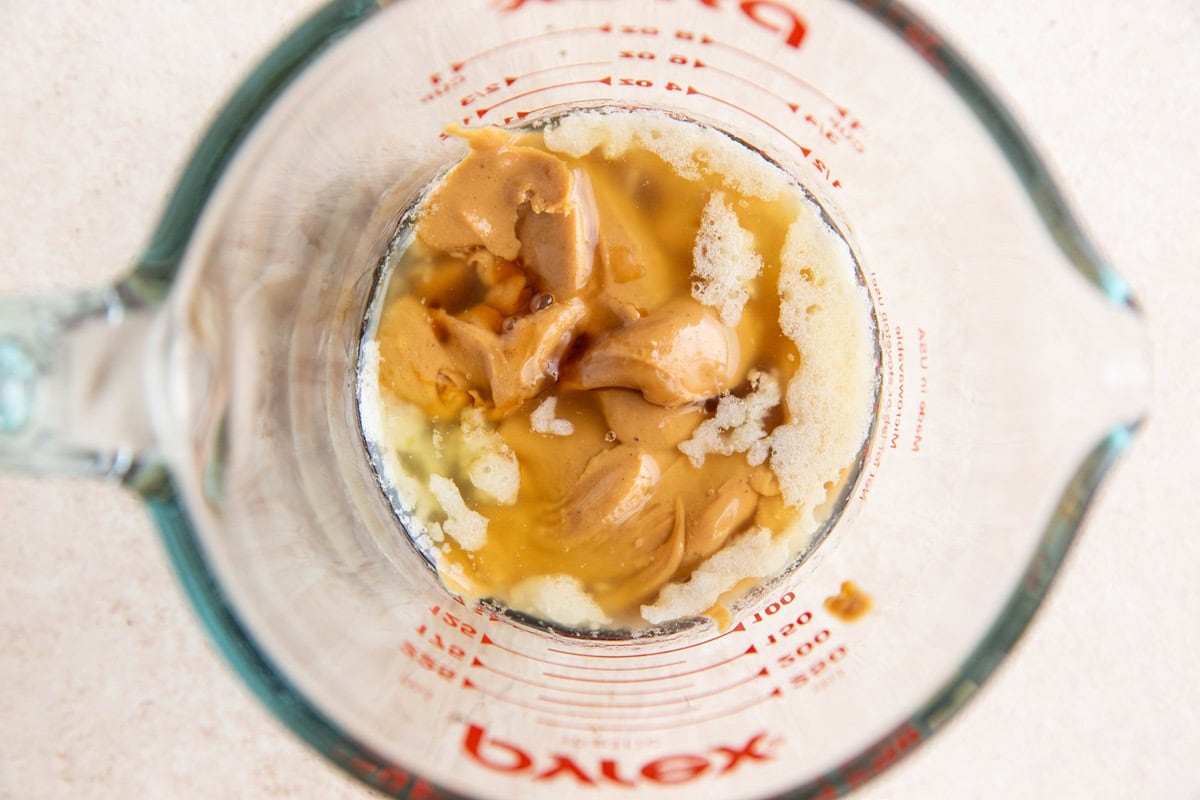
[161, 260]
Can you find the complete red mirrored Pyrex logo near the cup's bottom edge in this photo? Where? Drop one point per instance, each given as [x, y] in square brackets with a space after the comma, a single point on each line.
[668, 771]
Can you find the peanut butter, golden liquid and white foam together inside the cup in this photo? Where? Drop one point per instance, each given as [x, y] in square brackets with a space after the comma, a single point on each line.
[603, 324]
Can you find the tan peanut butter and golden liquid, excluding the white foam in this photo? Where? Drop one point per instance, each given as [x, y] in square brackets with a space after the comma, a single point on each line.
[527, 269]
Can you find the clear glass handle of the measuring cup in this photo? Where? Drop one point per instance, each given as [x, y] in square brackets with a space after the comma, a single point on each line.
[73, 383]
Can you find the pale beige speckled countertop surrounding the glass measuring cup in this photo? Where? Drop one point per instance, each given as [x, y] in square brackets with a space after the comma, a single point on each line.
[109, 688]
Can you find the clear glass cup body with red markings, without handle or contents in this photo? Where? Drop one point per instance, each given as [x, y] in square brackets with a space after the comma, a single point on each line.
[1010, 362]
